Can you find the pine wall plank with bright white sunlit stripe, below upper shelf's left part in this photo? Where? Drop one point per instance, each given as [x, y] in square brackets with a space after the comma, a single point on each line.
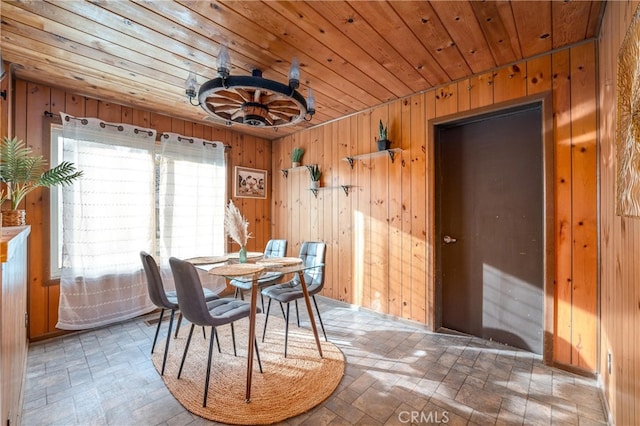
[362, 219]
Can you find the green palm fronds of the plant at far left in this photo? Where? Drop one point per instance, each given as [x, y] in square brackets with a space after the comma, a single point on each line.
[22, 172]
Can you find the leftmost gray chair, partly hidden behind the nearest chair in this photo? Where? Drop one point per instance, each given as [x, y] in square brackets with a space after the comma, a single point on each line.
[164, 300]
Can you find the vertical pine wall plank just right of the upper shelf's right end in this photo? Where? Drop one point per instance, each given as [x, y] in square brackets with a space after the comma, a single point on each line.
[406, 161]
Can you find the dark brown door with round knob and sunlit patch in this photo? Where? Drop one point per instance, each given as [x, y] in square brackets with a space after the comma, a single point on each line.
[489, 216]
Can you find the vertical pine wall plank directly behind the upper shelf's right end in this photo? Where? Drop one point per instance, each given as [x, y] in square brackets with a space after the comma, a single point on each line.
[395, 191]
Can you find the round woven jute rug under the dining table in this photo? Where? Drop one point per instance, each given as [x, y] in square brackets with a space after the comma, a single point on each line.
[287, 387]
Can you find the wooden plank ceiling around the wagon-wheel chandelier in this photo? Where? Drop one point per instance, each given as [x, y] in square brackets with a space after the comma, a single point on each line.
[354, 54]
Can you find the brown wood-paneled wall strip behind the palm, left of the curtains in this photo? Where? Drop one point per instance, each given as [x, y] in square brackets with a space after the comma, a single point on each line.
[35, 99]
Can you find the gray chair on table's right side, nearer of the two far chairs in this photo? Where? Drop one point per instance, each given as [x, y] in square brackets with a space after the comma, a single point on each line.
[312, 254]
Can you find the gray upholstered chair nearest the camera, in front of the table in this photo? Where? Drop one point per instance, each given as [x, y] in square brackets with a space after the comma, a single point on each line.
[199, 312]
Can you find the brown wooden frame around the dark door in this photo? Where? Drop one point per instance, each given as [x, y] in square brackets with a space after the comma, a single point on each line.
[545, 101]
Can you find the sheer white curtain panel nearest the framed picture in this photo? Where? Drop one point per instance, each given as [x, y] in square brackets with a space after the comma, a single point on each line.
[191, 202]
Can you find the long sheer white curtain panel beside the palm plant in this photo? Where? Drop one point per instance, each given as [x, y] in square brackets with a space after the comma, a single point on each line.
[108, 217]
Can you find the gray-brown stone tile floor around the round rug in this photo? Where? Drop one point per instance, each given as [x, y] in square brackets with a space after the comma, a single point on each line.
[397, 373]
